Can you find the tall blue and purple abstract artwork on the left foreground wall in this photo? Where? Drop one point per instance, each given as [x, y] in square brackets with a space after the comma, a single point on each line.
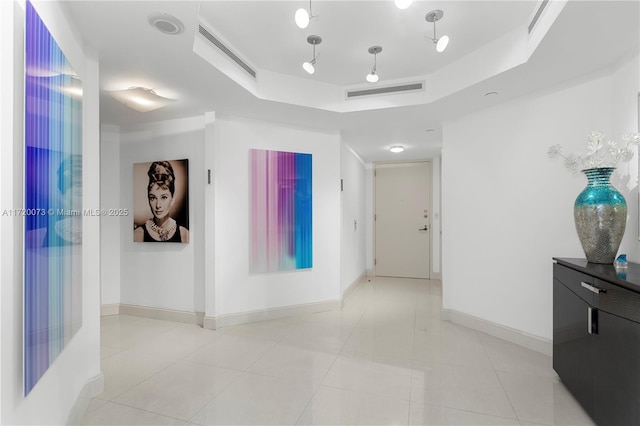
[52, 201]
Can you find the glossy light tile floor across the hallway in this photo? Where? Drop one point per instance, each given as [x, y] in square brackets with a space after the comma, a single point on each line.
[385, 358]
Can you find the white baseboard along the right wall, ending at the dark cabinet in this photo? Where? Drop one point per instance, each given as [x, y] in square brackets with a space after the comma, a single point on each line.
[500, 331]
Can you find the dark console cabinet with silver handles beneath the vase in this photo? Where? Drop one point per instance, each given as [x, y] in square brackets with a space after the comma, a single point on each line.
[596, 337]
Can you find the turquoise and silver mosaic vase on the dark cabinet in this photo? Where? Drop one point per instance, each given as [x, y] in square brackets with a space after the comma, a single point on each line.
[600, 213]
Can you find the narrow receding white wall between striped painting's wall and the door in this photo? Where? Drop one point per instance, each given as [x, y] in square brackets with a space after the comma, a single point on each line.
[353, 212]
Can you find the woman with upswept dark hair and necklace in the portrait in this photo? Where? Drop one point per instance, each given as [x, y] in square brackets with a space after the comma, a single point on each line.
[161, 190]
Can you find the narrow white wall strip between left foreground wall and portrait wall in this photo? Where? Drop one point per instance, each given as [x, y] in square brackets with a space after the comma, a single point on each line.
[110, 225]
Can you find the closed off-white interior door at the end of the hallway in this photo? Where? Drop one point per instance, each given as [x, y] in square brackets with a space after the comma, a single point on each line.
[402, 220]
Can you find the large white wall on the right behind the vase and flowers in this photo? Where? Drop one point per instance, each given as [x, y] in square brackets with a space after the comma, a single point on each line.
[508, 208]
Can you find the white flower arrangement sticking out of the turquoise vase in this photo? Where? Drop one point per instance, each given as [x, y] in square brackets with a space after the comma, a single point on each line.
[596, 156]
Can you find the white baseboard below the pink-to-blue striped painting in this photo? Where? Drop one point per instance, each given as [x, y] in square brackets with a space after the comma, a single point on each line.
[214, 323]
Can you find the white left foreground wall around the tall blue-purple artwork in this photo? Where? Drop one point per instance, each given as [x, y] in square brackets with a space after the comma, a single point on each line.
[77, 368]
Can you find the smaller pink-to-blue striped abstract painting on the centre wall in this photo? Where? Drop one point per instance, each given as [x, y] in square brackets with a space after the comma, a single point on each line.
[281, 226]
